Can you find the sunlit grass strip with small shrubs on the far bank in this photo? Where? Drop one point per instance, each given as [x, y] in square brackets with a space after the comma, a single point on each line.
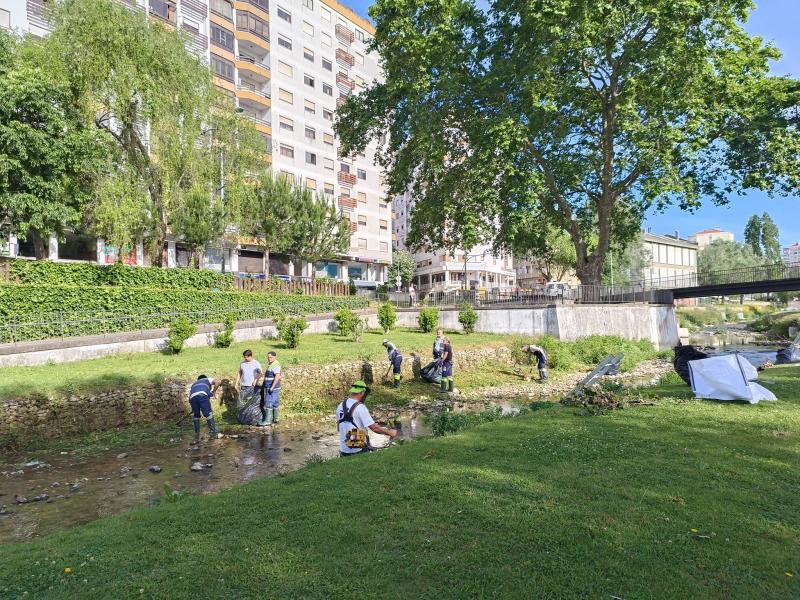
[128, 369]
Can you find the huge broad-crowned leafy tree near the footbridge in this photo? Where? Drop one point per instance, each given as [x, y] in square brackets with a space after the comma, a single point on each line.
[586, 112]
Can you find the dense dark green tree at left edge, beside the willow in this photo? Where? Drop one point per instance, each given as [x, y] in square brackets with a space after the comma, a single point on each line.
[49, 158]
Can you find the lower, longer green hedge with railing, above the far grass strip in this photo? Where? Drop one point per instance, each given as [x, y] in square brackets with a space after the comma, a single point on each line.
[34, 312]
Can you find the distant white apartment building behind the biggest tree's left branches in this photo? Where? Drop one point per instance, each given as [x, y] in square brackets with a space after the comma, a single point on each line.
[442, 271]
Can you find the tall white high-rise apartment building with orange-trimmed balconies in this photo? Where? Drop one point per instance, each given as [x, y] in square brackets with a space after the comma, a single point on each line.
[288, 65]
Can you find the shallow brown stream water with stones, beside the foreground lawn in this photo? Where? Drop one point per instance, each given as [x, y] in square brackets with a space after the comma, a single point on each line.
[81, 490]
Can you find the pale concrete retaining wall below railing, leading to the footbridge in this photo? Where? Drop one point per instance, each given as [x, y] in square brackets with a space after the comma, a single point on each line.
[629, 321]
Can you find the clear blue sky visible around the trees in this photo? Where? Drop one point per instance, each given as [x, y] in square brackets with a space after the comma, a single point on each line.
[777, 21]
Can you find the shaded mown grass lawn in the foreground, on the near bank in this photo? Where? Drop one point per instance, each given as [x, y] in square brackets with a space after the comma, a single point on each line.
[685, 499]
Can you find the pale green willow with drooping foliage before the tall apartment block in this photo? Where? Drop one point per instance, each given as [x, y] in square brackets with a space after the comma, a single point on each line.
[140, 85]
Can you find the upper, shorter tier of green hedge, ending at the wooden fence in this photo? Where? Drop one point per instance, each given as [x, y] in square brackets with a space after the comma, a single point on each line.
[43, 272]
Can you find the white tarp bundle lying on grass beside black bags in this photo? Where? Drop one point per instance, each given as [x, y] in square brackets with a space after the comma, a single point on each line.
[727, 377]
